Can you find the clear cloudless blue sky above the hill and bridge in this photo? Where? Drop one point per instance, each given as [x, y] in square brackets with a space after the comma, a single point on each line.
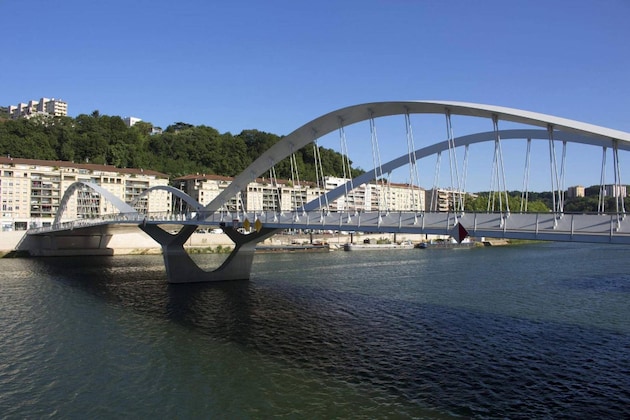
[276, 65]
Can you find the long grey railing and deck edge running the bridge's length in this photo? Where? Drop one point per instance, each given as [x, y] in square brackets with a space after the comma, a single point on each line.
[545, 226]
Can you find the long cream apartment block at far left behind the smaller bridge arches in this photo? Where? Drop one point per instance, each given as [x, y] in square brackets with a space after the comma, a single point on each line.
[31, 191]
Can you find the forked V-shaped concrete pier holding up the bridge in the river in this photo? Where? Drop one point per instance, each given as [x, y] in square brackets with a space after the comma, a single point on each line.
[180, 268]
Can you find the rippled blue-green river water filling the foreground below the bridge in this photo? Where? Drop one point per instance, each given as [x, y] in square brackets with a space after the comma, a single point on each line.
[531, 331]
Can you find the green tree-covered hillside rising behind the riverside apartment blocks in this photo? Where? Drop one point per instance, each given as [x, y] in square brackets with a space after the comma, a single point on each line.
[181, 149]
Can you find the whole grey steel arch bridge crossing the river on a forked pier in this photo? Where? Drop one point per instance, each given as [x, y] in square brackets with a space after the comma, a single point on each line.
[246, 227]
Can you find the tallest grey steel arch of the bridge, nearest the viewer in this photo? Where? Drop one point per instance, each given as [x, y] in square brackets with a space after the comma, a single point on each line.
[311, 131]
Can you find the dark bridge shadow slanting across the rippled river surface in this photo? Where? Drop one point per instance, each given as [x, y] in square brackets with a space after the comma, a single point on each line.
[466, 363]
